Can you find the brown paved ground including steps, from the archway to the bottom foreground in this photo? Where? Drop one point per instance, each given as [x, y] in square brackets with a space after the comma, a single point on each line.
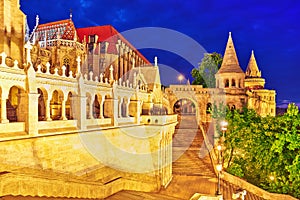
[192, 171]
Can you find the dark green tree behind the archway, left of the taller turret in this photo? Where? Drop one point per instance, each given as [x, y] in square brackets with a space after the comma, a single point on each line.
[205, 73]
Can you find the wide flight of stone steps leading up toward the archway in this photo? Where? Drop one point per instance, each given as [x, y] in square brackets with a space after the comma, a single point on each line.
[189, 154]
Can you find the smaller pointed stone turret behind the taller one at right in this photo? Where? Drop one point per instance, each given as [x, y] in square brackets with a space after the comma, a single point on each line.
[253, 75]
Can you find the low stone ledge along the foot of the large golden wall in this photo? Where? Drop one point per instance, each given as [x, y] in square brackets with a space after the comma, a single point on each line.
[15, 185]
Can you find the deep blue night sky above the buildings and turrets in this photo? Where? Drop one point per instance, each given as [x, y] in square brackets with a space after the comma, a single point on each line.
[268, 27]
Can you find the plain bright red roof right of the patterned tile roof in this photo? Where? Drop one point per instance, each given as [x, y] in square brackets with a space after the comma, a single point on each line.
[109, 34]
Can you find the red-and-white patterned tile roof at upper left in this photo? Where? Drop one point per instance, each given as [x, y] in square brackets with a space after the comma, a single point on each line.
[65, 28]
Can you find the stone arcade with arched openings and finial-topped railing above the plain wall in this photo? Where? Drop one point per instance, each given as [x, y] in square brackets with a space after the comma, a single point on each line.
[50, 99]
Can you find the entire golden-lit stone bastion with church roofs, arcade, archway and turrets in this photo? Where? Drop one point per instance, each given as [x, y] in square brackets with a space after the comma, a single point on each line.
[83, 114]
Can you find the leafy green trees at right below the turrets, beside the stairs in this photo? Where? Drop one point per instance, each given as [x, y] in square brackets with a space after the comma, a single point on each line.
[263, 150]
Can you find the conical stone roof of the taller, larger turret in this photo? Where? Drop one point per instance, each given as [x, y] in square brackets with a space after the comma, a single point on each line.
[230, 61]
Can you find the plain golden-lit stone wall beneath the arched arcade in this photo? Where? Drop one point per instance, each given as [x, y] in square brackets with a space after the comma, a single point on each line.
[91, 164]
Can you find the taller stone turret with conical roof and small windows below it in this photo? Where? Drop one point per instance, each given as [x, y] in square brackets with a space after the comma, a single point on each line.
[230, 75]
